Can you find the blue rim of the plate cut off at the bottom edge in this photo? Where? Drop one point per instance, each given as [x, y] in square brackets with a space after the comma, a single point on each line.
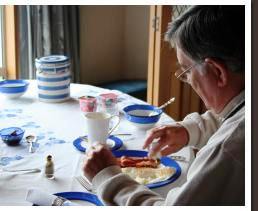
[80, 196]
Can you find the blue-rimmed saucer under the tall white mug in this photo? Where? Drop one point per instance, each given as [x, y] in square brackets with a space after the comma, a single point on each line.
[113, 142]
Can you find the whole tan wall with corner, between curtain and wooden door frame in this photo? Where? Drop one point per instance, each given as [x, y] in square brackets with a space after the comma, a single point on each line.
[114, 43]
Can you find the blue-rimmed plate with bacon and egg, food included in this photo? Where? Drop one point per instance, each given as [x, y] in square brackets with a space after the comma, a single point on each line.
[153, 173]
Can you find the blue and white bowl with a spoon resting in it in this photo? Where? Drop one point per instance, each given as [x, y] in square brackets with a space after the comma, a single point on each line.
[138, 115]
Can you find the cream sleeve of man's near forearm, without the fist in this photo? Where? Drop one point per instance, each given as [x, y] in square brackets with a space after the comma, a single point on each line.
[116, 188]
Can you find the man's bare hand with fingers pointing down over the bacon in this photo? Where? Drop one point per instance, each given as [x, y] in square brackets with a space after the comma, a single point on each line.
[171, 138]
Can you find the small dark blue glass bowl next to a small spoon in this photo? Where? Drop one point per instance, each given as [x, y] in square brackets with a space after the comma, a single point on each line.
[12, 135]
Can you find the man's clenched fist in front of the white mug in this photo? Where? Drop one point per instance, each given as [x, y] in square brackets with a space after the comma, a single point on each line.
[98, 158]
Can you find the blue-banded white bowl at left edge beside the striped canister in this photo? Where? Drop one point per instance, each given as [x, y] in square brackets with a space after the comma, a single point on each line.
[13, 88]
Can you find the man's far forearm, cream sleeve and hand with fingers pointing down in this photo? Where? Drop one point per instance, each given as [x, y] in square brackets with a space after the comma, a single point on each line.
[194, 130]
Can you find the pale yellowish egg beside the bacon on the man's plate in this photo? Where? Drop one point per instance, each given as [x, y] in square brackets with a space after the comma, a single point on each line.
[149, 175]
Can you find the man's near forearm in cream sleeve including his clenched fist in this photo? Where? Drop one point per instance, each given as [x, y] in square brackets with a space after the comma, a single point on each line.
[112, 186]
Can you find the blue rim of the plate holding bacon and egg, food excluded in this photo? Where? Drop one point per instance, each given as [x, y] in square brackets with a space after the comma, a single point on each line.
[166, 161]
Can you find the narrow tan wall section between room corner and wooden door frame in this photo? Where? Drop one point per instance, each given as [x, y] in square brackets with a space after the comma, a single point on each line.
[136, 29]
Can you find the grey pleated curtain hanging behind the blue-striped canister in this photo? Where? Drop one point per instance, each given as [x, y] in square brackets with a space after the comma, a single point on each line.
[46, 30]
